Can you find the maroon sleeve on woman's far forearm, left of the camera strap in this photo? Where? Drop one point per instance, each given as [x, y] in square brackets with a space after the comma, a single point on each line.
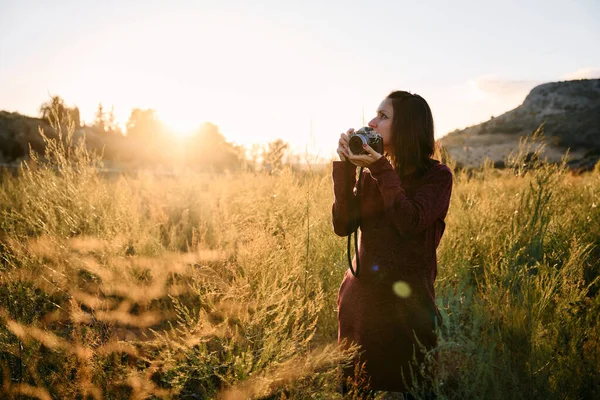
[344, 210]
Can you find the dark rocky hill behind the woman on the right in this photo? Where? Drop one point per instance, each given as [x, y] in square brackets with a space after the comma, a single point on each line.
[570, 112]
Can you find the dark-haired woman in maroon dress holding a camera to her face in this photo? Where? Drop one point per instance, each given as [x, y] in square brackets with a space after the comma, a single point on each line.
[389, 308]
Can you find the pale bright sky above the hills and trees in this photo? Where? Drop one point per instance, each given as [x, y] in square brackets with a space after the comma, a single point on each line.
[303, 71]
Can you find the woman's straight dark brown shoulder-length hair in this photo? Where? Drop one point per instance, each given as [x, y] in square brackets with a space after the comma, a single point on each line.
[412, 132]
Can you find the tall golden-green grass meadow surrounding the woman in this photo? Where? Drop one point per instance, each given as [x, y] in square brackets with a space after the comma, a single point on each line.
[200, 286]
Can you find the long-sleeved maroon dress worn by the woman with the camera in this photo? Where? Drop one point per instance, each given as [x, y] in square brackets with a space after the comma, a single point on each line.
[392, 300]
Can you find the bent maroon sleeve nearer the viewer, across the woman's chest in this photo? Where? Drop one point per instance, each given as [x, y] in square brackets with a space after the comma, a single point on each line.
[415, 214]
